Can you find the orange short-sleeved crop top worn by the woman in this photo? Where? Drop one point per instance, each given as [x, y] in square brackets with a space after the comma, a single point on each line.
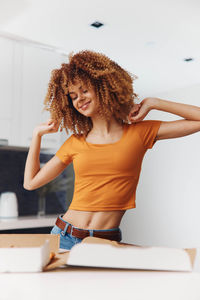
[106, 175]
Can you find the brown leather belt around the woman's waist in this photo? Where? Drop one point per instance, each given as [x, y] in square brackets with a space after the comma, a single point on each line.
[83, 233]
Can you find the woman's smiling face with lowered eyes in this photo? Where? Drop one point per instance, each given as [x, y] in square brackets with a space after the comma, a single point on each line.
[84, 99]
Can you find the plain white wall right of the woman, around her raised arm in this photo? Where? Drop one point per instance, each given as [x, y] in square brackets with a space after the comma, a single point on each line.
[168, 198]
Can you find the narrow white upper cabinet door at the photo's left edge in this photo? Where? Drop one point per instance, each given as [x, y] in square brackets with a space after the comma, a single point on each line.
[6, 91]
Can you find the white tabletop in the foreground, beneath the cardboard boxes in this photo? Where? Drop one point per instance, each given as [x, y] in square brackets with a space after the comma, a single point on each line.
[93, 283]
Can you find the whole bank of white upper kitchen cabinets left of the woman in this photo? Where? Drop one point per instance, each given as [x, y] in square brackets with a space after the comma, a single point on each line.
[25, 72]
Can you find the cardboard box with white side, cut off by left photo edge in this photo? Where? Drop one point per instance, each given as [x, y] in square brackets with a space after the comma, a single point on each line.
[27, 252]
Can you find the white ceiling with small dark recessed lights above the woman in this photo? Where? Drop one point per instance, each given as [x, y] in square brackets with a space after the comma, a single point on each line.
[150, 38]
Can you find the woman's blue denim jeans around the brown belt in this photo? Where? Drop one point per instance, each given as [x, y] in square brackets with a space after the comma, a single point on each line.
[67, 241]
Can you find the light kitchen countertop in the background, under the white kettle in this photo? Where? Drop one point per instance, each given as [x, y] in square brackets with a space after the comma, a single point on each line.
[28, 222]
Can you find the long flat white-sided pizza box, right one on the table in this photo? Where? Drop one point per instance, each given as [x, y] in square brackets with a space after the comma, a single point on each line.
[102, 253]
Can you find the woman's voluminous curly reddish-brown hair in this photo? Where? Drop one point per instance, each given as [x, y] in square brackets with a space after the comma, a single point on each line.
[112, 85]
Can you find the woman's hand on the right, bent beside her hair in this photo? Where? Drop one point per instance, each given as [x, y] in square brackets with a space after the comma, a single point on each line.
[139, 111]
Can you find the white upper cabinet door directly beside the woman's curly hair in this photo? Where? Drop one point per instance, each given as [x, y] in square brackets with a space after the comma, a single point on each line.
[37, 65]
